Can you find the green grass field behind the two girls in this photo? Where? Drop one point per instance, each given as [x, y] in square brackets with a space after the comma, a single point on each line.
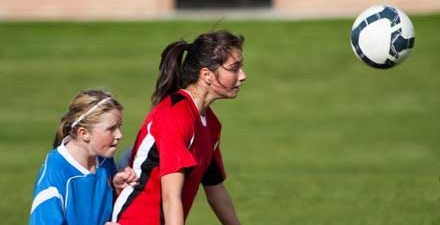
[315, 136]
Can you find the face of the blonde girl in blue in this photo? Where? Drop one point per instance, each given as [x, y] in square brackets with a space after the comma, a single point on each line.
[105, 135]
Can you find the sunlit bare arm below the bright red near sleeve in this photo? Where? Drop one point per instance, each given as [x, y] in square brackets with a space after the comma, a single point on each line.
[171, 194]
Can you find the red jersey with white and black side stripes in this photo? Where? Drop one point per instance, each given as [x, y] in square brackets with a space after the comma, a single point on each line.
[173, 137]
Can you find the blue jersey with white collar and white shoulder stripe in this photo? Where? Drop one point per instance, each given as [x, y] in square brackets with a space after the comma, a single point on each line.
[67, 193]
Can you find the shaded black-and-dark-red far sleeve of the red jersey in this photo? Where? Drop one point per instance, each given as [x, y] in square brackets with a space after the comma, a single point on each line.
[216, 172]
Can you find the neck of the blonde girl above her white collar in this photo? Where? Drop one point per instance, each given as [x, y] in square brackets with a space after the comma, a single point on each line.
[81, 155]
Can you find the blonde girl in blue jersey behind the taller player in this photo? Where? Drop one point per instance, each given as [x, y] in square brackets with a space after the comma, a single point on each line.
[77, 182]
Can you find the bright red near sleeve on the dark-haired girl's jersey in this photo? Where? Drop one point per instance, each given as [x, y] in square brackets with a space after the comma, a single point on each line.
[174, 134]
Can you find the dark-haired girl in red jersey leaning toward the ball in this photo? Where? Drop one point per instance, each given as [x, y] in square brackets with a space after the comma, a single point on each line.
[177, 147]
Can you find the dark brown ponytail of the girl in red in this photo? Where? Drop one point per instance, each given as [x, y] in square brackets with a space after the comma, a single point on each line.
[170, 75]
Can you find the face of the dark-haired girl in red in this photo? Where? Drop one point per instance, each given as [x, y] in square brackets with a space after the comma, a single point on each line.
[230, 76]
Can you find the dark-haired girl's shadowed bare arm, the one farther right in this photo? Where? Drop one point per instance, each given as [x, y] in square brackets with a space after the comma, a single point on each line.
[221, 203]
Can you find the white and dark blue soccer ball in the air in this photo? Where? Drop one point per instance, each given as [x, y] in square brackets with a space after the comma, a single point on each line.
[382, 36]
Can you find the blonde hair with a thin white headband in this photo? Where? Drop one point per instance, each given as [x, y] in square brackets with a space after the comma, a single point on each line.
[84, 111]
